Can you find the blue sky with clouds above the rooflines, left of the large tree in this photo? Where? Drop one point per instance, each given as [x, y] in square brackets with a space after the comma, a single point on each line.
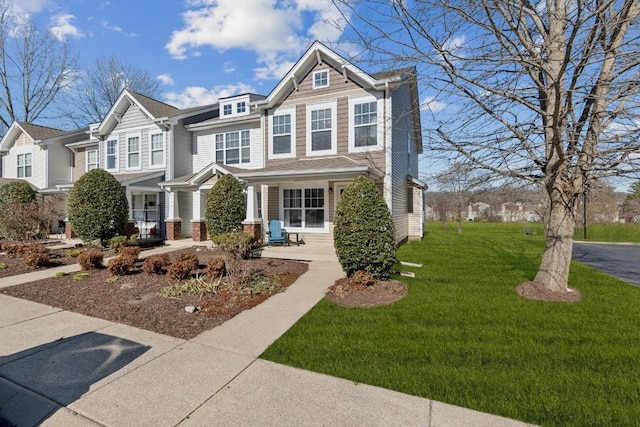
[199, 49]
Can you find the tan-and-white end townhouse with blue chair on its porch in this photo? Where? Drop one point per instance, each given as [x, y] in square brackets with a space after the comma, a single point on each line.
[295, 150]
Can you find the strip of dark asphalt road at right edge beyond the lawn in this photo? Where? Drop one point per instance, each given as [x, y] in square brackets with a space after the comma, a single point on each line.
[618, 260]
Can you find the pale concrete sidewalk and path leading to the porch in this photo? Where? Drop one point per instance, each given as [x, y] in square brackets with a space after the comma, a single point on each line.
[59, 368]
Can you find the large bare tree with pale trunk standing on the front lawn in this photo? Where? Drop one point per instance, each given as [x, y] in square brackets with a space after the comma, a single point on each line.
[544, 92]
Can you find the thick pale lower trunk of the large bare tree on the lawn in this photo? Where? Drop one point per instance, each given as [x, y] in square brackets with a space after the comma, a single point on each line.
[556, 258]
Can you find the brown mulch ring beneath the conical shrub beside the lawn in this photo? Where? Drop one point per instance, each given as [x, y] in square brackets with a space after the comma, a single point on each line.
[383, 292]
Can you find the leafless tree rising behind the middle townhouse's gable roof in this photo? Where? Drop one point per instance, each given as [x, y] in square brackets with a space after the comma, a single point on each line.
[100, 87]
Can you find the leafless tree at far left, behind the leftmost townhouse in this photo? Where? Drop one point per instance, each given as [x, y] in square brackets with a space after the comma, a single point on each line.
[35, 68]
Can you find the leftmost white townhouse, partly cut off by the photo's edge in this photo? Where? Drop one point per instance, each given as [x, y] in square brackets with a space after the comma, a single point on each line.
[38, 155]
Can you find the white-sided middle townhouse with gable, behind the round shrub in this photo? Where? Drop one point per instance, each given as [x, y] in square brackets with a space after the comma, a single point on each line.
[142, 142]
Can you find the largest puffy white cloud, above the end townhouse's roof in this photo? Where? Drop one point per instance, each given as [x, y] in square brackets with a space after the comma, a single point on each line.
[276, 31]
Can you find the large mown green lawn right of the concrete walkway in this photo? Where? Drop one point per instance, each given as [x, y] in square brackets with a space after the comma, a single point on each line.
[463, 336]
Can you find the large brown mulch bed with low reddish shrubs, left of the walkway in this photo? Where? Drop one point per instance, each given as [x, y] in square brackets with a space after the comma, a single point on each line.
[134, 299]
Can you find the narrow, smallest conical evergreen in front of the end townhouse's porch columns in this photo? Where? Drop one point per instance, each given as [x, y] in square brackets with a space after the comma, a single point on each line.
[226, 206]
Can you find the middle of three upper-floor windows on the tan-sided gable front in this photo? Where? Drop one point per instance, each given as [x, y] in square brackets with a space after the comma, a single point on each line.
[321, 129]
